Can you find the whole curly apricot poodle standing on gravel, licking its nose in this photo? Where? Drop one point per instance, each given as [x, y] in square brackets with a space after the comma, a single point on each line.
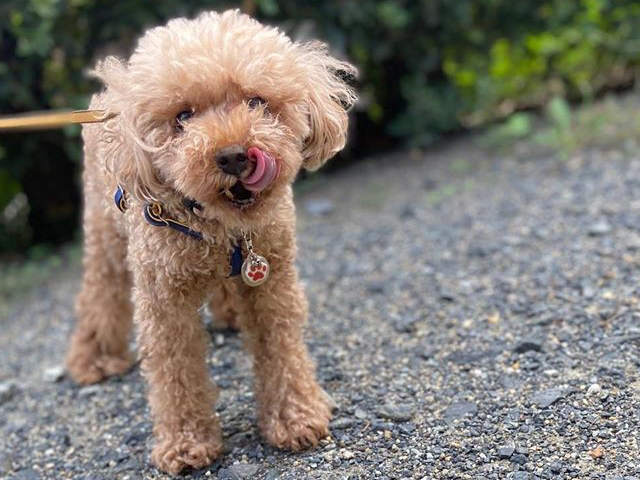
[188, 199]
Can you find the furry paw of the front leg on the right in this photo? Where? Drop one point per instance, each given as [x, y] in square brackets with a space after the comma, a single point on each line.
[297, 422]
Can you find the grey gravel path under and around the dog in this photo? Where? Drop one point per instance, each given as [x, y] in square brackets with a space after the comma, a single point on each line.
[474, 316]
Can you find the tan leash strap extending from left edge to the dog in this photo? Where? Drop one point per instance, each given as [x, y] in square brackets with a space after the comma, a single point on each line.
[44, 120]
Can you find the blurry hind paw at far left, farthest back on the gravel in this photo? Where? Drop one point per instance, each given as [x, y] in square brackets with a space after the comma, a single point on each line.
[87, 367]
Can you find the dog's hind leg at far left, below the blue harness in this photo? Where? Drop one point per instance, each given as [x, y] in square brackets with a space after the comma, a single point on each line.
[100, 343]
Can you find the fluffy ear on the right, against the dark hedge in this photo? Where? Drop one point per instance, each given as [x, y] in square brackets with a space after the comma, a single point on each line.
[330, 96]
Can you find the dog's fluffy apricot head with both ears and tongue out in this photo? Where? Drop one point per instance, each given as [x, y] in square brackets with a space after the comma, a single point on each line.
[223, 111]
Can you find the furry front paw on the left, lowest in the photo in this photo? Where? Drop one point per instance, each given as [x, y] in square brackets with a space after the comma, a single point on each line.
[175, 453]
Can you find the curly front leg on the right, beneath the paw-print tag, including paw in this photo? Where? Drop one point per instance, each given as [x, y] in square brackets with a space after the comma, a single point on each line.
[294, 411]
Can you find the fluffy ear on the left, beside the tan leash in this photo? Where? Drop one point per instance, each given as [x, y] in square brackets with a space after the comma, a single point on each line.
[127, 133]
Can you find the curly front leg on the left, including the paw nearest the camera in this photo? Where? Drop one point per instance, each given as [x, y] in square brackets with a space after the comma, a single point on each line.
[173, 346]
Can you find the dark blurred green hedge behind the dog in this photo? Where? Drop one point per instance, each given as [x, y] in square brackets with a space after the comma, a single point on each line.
[428, 68]
